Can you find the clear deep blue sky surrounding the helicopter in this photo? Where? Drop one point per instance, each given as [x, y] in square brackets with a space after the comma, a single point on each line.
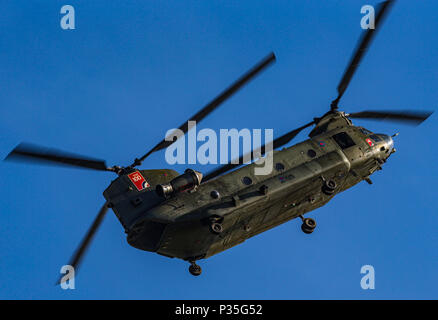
[130, 71]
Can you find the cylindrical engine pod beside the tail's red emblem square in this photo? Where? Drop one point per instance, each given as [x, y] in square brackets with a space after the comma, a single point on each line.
[185, 182]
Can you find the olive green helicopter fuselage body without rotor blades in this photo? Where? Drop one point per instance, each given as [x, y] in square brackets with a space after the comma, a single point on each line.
[179, 226]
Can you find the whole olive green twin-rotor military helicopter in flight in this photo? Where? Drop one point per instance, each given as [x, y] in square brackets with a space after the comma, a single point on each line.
[192, 217]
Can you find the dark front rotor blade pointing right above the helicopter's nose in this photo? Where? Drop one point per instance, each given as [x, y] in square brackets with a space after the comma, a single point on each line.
[410, 117]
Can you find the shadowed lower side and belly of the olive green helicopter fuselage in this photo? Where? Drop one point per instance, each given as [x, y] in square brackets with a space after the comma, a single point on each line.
[194, 240]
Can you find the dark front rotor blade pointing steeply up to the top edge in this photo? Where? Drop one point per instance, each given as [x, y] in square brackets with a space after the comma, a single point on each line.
[364, 43]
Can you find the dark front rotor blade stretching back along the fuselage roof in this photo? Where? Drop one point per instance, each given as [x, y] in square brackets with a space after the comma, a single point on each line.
[277, 143]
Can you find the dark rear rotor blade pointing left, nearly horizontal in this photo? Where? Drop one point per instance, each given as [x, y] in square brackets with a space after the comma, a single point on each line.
[33, 153]
